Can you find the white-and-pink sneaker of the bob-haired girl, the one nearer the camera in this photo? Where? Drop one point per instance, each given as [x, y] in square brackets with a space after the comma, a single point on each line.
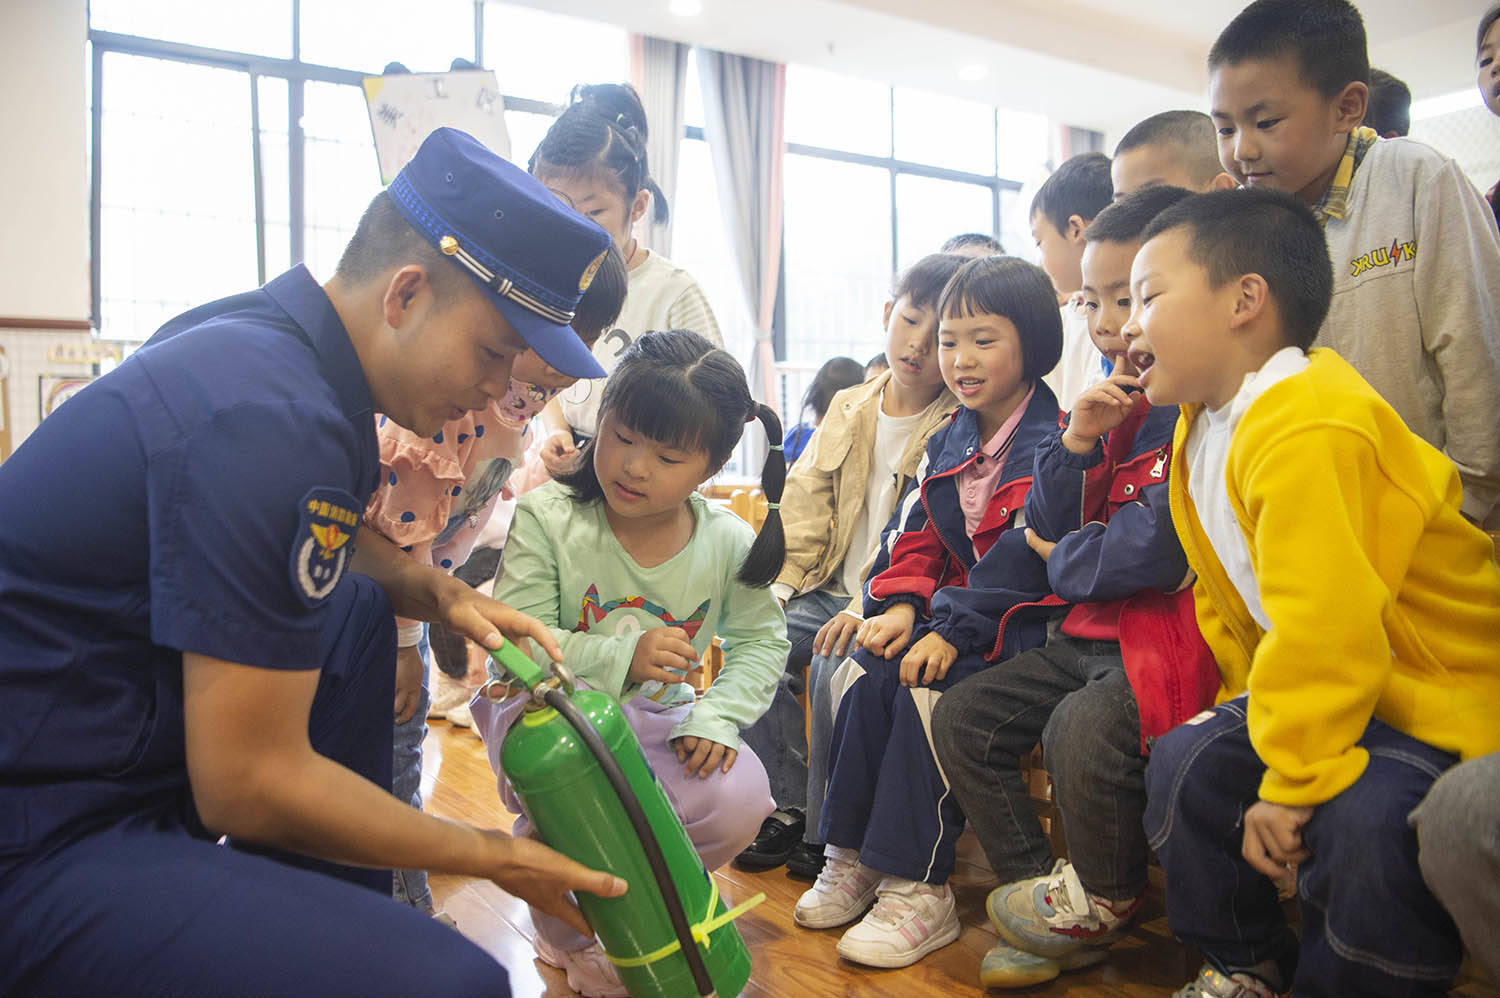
[908, 922]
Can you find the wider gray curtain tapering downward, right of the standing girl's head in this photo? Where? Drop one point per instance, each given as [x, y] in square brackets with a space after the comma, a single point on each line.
[745, 104]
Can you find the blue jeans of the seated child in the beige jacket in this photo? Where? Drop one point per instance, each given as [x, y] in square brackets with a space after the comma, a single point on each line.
[779, 738]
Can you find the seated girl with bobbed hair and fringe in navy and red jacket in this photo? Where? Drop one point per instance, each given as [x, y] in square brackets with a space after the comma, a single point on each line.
[955, 591]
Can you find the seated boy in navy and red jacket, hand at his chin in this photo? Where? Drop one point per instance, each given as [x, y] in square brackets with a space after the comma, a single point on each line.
[1127, 666]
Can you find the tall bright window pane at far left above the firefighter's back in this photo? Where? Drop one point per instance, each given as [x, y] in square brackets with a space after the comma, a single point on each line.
[178, 206]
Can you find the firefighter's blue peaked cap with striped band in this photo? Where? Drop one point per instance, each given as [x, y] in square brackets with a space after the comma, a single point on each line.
[530, 251]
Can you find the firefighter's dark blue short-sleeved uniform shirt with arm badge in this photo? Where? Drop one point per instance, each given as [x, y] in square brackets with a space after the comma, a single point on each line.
[202, 497]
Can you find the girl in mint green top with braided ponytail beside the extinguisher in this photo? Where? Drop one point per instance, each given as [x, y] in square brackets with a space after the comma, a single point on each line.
[635, 574]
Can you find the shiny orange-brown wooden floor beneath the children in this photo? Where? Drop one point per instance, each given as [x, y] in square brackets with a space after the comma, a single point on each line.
[788, 961]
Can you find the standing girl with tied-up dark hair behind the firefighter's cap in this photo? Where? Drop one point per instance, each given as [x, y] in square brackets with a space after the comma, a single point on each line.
[595, 158]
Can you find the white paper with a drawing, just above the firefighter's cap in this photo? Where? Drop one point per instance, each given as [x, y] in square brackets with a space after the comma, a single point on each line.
[407, 107]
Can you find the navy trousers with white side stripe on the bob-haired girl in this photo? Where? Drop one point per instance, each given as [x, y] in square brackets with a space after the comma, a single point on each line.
[886, 795]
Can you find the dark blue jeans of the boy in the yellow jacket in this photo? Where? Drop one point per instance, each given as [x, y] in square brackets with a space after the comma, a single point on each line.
[1370, 927]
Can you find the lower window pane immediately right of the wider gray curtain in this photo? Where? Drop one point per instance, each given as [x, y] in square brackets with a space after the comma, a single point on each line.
[838, 259]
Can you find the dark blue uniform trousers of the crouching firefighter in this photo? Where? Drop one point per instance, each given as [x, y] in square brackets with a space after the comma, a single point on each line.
[140, 906]
